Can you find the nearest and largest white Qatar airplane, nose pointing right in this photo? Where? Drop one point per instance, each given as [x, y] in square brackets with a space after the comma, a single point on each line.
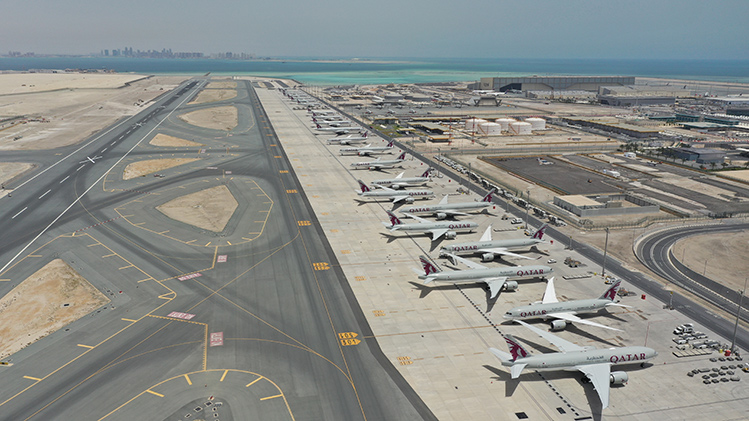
[594, 363]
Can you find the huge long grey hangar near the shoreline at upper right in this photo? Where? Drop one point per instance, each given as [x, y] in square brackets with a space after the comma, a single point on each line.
[556, 83]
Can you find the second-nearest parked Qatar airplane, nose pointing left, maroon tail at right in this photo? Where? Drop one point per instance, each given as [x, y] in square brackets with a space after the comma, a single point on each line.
[551, 308]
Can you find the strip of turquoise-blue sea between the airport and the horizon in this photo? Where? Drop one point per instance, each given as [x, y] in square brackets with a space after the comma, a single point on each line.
[400, 70]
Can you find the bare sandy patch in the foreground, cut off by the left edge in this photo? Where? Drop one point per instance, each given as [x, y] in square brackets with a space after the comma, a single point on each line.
[36, 307]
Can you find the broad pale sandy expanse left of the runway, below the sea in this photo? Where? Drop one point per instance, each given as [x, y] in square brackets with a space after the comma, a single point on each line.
[64, 109]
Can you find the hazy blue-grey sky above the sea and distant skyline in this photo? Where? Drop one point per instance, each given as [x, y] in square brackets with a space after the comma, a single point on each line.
[666, 29]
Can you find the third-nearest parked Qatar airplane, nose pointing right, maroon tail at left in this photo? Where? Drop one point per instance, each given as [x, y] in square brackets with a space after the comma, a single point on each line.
[495, 278]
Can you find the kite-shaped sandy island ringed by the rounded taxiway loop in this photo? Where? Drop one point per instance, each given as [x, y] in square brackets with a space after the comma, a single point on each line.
[209, 209]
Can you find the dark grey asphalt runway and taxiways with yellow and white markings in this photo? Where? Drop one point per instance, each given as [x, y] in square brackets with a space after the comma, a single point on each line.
[268, 285]
